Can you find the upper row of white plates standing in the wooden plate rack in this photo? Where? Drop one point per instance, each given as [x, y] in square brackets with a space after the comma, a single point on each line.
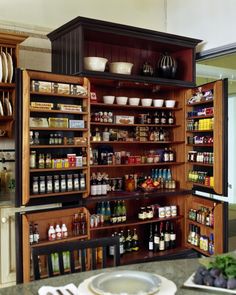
[6, 67]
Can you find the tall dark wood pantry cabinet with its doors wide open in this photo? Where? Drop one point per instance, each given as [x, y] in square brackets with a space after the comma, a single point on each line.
[125, 148]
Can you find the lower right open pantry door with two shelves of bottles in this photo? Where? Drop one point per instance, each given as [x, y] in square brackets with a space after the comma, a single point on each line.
[206, 225]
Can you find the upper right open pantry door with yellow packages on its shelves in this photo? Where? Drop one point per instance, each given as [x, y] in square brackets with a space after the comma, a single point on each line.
[206, 138]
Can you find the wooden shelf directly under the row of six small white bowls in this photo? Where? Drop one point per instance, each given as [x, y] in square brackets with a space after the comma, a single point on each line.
[128, 107]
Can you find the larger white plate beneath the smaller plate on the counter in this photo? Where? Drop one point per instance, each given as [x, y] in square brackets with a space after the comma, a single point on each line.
[166, 287]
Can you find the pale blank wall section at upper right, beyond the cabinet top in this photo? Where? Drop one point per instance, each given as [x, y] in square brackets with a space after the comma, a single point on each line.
[213, 21]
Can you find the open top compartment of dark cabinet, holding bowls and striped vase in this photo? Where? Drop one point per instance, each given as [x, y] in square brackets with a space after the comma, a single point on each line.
[147, 50]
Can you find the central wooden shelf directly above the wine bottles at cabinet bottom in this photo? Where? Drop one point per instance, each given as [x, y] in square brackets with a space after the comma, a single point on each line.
[134, 222]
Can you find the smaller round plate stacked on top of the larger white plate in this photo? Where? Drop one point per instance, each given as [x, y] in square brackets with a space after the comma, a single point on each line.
[125, 282]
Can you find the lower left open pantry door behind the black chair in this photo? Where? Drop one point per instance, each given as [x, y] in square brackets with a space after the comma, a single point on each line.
[77, 223]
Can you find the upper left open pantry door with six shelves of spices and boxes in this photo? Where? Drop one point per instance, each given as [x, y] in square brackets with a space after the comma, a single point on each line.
[55, 144]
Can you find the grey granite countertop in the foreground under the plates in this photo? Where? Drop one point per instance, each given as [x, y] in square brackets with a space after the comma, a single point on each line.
[176, 270]
